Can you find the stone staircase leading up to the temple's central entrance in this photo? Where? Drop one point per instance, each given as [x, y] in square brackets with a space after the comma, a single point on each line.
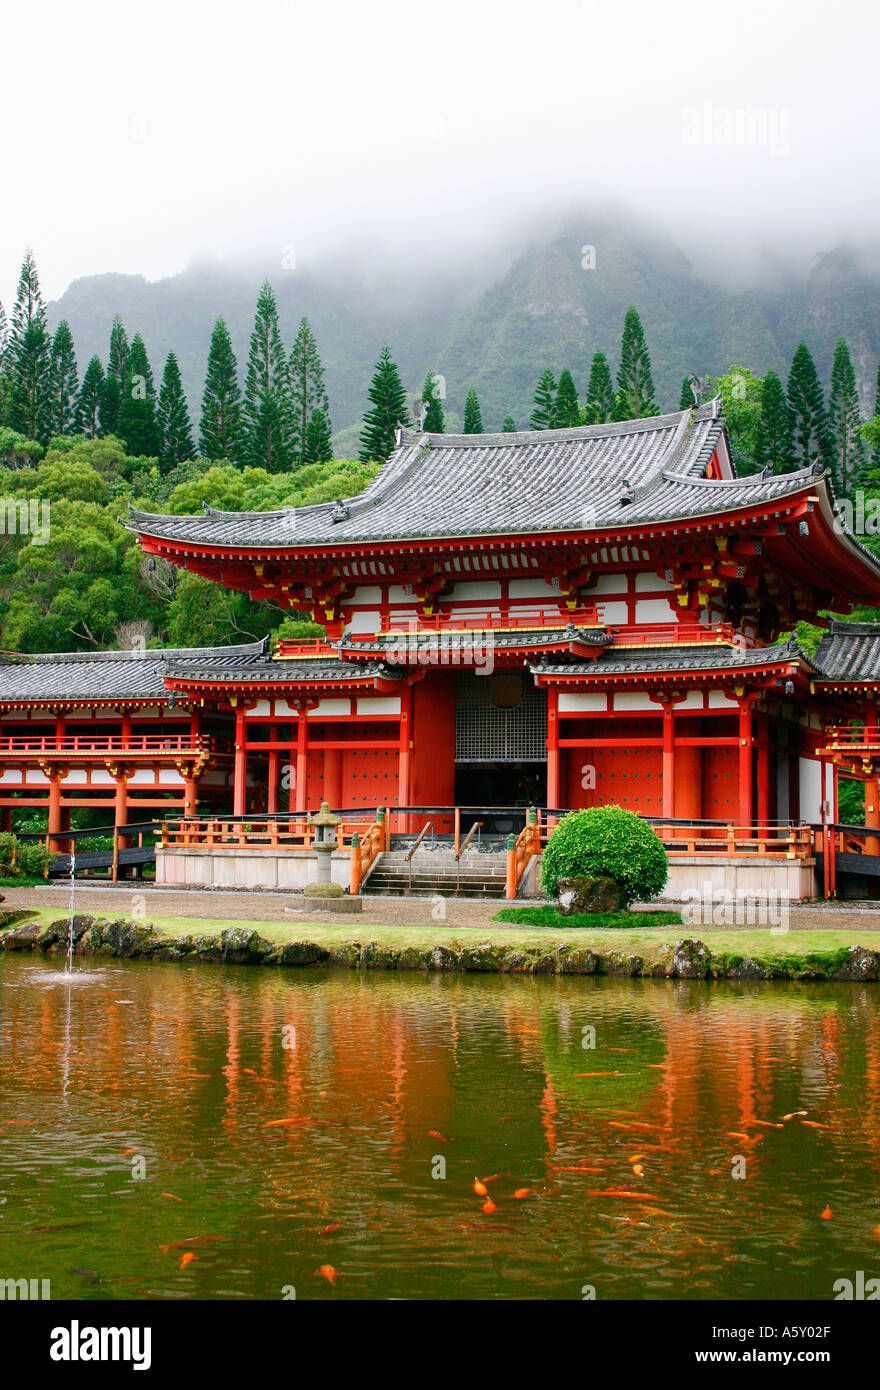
[436, 875]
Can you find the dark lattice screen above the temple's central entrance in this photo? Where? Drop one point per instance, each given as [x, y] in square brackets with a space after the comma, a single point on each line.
[487, 735]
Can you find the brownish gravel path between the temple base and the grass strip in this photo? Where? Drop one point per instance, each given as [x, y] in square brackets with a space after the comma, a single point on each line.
[391, 913]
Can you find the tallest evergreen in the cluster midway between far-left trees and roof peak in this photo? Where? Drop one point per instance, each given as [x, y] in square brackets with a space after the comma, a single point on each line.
[268, 400]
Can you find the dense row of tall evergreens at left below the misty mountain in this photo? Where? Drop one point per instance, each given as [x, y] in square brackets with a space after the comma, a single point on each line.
[279, 422]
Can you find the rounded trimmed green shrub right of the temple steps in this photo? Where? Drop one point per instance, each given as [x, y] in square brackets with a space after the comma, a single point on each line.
[607, 842]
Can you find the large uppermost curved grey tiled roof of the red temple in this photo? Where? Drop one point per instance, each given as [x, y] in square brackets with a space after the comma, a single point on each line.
[637, 472]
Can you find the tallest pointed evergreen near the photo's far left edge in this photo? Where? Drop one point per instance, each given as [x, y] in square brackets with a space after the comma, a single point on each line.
[30, 358]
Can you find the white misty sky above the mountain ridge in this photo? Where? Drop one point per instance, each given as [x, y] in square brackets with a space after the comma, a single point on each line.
[138, 137]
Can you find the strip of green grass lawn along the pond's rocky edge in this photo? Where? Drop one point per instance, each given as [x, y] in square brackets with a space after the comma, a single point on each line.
[646, 942]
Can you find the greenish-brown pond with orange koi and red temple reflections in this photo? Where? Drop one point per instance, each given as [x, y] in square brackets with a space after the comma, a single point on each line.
[215, 1132]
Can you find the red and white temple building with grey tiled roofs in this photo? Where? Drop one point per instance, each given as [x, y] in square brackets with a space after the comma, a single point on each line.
[553, 619]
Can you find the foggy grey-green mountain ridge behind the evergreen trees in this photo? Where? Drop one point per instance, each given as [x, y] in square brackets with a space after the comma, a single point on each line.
[496, 323]
